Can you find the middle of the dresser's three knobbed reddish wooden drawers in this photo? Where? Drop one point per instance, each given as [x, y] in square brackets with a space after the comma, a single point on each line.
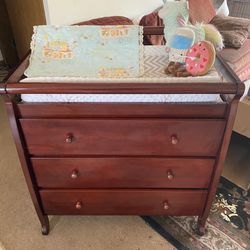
[122, 172]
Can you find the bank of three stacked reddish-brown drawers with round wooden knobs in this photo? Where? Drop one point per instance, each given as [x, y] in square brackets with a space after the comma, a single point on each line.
[121, 166]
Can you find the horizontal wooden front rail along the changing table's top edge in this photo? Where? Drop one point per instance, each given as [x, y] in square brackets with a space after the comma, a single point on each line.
[120, 88]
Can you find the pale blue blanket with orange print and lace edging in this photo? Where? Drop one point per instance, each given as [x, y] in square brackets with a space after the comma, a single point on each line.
[86, 51]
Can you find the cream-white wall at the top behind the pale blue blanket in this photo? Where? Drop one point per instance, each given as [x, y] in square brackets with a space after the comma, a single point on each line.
[73, 11]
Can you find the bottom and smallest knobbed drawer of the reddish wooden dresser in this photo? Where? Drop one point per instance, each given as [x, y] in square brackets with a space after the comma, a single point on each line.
[123, 202]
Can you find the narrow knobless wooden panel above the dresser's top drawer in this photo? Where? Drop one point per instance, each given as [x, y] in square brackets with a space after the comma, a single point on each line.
[157, 110]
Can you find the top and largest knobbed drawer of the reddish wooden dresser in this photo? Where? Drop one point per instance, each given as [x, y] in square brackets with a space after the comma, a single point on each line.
[62, 137]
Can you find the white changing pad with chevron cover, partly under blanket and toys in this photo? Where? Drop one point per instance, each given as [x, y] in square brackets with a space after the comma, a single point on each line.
[155, 61]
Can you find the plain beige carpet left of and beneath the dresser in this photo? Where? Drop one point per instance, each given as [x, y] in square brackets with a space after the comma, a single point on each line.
[20, 228]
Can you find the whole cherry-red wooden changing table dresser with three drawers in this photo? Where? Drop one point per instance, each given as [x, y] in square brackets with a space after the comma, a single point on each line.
[122, 158]
